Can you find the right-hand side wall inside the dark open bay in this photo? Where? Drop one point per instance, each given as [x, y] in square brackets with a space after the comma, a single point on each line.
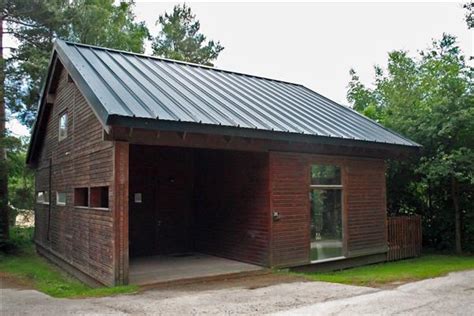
[232, 205]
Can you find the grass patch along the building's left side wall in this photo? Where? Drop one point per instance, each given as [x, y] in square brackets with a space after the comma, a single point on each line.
[26, 267]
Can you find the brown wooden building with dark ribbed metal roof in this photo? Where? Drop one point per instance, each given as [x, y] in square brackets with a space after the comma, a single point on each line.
[139, 156]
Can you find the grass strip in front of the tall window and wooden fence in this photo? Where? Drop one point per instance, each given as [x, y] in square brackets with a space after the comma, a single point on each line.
[424, 267]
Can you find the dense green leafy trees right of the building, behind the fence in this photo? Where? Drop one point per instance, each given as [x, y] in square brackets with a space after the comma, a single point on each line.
[429, 99]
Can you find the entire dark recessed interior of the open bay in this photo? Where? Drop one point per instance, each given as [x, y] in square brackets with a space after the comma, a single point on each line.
[197, 200]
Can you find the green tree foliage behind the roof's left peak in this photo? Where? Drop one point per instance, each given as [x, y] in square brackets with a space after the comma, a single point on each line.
[36, 23]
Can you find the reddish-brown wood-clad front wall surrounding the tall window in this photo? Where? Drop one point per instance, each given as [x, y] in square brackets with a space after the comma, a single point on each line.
[364, 210]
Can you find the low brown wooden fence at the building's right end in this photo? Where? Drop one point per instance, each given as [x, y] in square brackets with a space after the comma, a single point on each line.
[404, 237]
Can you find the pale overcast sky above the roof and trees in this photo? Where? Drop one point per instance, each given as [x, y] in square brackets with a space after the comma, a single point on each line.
[315, 44]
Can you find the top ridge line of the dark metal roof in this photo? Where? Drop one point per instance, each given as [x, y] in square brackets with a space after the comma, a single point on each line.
[174, 61]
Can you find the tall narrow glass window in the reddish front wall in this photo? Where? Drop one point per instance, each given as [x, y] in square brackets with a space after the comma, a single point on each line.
[326, 212]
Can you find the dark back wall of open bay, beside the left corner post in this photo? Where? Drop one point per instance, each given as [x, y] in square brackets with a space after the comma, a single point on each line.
[161, 223]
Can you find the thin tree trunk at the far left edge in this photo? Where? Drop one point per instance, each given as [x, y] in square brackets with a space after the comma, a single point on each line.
[4, 224]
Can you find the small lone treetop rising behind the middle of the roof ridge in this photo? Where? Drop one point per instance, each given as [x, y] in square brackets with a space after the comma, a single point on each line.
[180, 39]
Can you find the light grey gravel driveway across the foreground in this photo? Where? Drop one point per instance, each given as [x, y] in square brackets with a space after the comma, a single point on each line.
[453, 294]
